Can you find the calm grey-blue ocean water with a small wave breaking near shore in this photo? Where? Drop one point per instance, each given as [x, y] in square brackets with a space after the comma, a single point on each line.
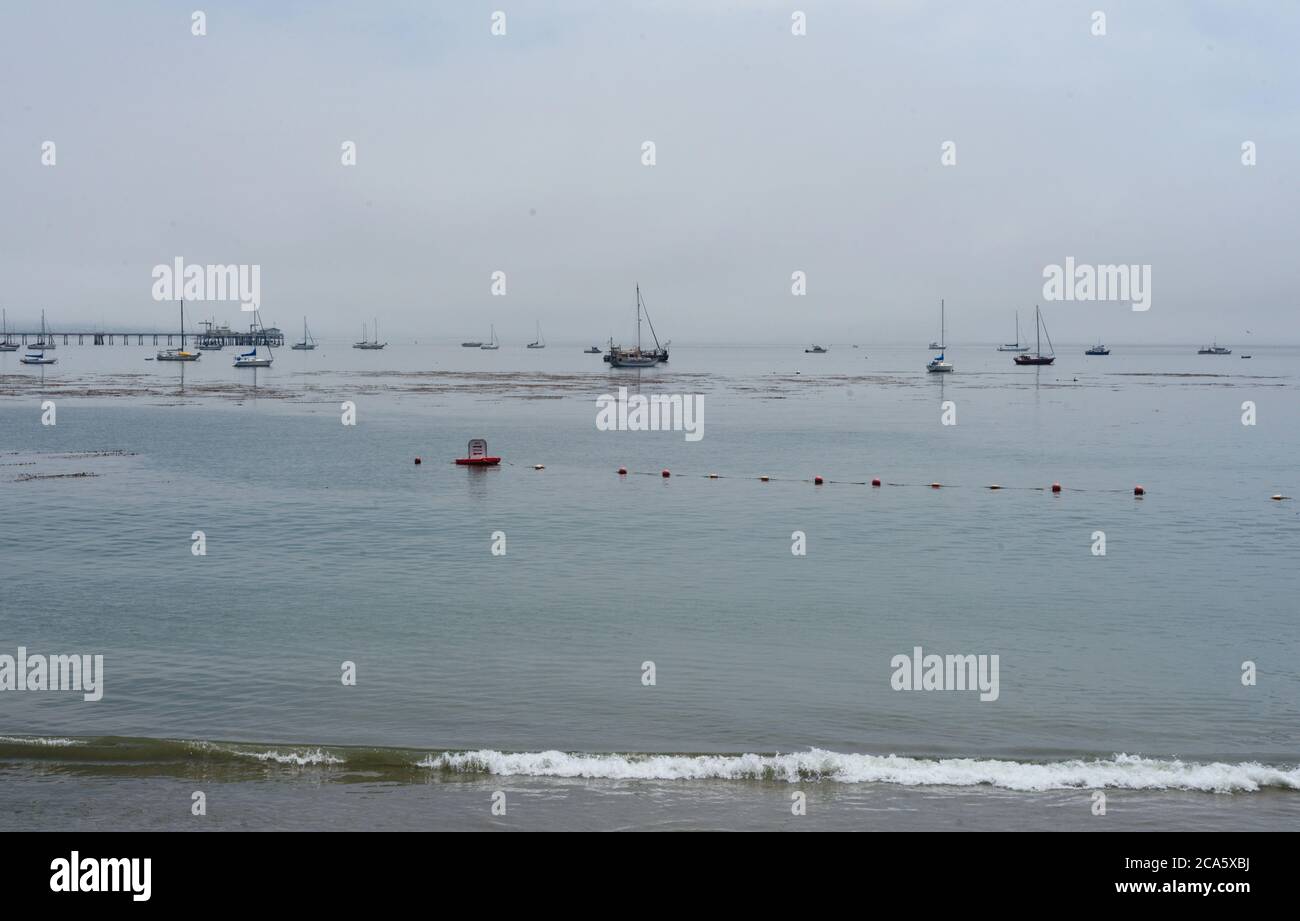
[525, 673]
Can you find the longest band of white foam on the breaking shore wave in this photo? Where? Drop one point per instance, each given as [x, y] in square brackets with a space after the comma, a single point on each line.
[1123, 772]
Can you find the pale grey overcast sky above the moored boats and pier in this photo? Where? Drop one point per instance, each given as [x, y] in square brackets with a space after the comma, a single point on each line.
[774, 154]
